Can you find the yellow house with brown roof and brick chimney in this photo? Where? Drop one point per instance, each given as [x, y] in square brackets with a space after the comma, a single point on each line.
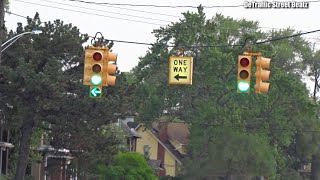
[165, 144]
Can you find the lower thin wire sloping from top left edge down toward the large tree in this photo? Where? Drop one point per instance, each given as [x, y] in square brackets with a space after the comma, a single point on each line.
[71, 10]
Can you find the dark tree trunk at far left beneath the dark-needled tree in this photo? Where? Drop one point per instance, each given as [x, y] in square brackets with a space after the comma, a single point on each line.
[25, 140]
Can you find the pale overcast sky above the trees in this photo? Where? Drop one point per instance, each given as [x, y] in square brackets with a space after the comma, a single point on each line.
[131, 23]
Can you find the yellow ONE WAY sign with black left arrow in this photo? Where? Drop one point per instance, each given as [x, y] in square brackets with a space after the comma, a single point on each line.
[180, 69]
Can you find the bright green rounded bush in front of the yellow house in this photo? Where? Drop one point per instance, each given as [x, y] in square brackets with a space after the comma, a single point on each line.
[129, 166]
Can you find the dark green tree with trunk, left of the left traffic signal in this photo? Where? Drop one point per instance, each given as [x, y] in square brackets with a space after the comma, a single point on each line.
[42, 89]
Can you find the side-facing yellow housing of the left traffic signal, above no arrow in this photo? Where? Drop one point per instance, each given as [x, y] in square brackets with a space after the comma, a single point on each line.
[109, 72]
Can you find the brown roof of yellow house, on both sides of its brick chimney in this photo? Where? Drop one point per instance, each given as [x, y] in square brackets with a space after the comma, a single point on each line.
[176, 131]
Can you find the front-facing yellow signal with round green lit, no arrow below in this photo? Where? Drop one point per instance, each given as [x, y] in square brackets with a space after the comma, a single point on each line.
[244, 73]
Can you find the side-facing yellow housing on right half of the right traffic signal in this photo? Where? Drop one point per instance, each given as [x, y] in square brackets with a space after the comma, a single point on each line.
[262, 75]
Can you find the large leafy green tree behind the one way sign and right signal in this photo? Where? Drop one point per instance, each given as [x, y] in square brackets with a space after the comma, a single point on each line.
[222, 121]
